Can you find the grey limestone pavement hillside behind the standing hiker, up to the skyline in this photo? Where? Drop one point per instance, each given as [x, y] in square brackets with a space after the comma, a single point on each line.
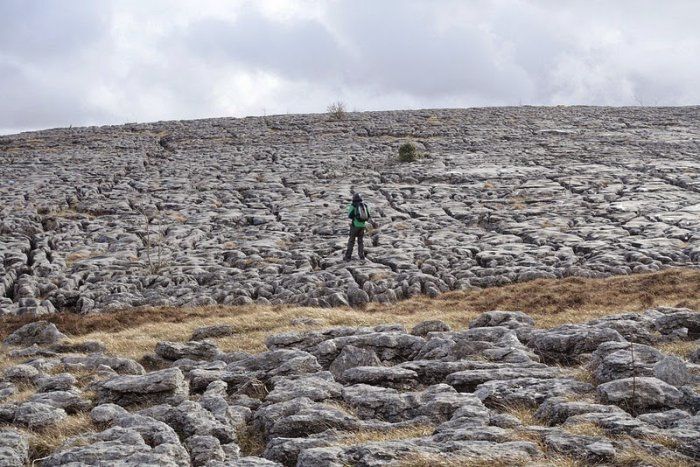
[235, 211]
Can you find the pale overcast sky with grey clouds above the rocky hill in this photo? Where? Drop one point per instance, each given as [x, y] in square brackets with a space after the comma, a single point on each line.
[66, 62]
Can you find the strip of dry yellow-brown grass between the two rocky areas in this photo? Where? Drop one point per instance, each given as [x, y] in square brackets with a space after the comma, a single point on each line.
[135, 332]
